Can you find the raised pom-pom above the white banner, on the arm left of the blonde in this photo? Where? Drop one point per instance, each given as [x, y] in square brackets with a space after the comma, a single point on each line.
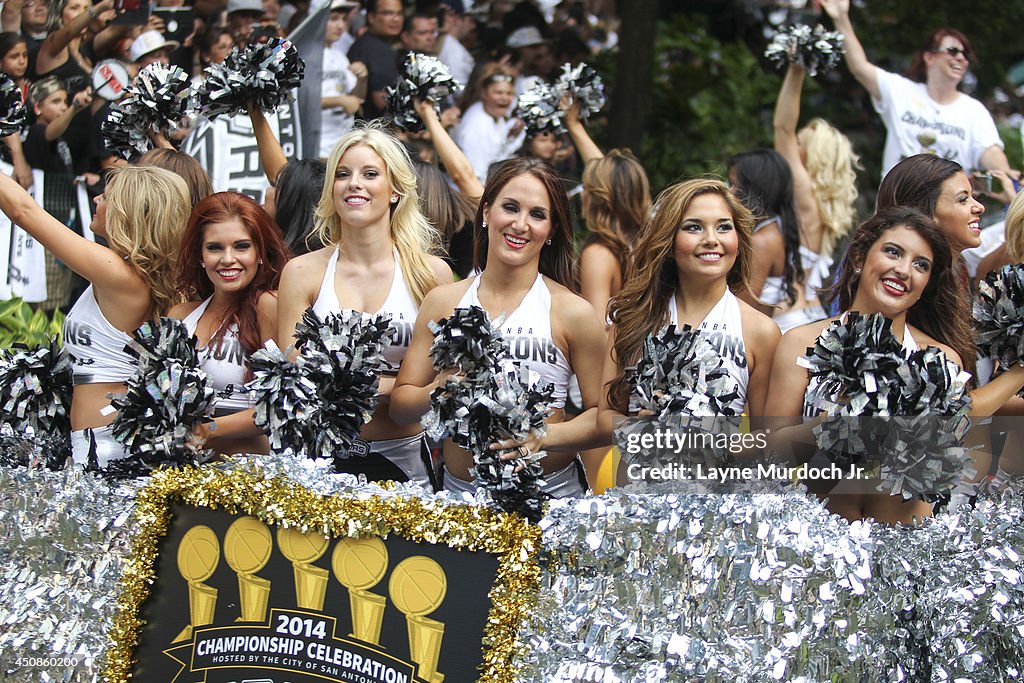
[264, 74]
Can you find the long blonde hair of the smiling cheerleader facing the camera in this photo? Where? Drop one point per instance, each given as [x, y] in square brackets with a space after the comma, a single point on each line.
[412, 234]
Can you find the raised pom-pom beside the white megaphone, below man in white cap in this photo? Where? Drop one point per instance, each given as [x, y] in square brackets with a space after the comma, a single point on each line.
[157, 102]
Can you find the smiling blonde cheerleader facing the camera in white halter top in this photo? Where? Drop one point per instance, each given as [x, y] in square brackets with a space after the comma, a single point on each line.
[379, 262]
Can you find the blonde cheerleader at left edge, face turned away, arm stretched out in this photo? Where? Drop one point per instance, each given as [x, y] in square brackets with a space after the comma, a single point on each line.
[141, 216]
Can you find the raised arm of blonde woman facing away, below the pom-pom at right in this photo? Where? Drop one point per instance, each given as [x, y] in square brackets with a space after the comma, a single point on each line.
[786, 121]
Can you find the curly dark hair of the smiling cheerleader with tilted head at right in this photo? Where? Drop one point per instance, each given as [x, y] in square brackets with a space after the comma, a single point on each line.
[944, 312]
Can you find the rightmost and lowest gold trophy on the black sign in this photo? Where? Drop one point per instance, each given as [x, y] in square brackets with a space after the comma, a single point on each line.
[418, 587]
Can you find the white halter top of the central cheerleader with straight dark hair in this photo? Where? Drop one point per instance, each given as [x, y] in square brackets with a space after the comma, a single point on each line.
[528, 330]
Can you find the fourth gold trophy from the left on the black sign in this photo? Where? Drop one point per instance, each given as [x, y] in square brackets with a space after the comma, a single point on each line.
[360, 565]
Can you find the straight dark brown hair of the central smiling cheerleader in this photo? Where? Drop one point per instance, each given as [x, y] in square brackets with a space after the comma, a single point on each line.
[557, 259]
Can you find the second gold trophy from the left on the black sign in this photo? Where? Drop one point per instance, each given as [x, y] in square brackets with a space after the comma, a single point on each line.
[247, 549]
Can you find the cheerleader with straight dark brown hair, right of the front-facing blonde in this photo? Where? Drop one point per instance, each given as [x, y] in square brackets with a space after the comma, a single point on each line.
[524, 248]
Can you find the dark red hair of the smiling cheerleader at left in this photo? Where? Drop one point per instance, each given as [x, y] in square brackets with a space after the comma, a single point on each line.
[193, 281]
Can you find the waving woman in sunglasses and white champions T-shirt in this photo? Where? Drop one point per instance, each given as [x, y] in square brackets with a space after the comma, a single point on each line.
[926, 114]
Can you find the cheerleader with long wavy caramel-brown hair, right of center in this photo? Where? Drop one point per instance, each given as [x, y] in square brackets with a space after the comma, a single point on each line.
[691, 262]
